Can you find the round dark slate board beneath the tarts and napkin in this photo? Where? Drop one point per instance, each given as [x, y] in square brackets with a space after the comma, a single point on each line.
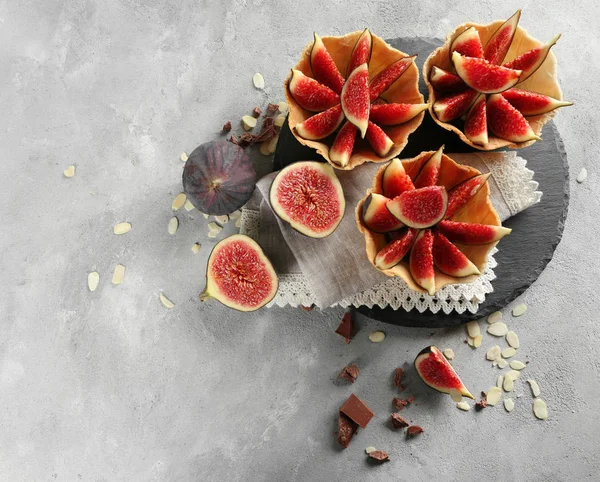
[536, 231]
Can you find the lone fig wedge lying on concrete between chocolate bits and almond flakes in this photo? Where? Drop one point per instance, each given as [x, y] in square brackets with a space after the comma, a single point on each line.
[436, 372]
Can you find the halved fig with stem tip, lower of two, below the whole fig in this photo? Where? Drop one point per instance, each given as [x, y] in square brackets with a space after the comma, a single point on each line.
[239, 275]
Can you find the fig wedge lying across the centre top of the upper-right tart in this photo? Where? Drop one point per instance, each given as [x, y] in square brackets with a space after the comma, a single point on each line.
[483, 76]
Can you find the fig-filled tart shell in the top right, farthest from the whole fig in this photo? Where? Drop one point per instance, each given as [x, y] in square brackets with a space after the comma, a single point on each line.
[490, 94]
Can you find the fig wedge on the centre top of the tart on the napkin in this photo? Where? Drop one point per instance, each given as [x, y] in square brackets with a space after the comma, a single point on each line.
[420, 208]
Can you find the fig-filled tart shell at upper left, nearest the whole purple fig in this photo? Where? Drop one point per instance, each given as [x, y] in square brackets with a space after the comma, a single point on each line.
[349, 112]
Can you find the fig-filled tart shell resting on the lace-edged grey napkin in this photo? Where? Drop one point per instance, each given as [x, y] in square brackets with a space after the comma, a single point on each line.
[429, 221]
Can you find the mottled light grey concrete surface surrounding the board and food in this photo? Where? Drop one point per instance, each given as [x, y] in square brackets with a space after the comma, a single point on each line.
[111, 386]
